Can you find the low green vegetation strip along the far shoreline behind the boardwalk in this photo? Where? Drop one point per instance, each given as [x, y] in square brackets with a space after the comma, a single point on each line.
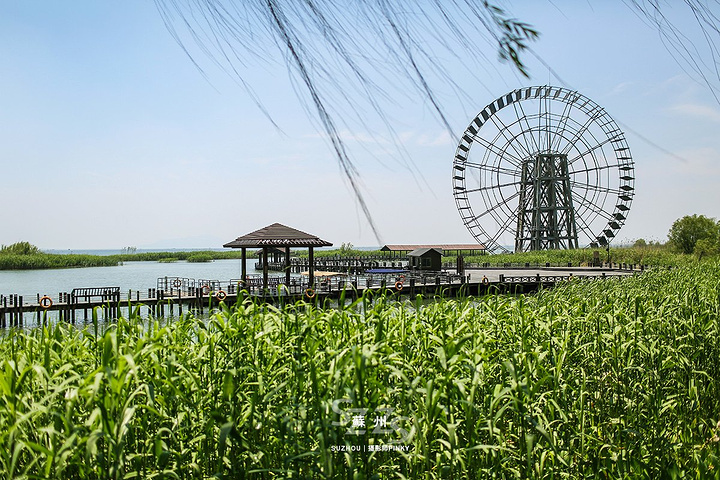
[24, 256]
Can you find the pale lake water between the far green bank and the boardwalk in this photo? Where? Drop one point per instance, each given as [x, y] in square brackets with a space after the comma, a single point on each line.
[129, 276]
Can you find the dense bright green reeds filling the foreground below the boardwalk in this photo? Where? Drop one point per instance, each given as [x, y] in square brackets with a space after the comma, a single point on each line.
[592, 379]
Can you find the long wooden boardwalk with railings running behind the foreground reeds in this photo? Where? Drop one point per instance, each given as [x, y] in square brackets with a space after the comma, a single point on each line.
[177, 296]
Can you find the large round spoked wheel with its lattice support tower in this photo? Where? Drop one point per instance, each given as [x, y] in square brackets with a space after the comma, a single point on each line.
[543, 168]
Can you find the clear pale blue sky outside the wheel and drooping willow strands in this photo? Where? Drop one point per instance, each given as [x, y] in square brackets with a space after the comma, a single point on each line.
[111, 137]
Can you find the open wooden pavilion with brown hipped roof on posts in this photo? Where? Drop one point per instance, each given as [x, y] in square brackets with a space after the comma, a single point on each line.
[277, 236]
